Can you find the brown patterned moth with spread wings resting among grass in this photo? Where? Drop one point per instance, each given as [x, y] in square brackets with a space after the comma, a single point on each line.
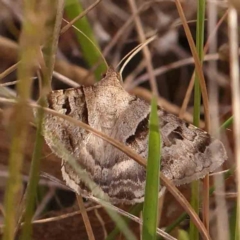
[188, 153]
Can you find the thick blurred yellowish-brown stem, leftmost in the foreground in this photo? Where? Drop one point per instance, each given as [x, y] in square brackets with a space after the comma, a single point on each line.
[29, 46]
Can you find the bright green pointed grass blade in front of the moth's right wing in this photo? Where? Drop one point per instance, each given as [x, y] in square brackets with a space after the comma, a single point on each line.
[150, 207]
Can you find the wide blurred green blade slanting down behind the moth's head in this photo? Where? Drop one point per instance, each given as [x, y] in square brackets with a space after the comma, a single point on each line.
[73, 8]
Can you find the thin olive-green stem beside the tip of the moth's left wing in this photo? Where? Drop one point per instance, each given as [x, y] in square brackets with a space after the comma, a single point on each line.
[52, 30]
